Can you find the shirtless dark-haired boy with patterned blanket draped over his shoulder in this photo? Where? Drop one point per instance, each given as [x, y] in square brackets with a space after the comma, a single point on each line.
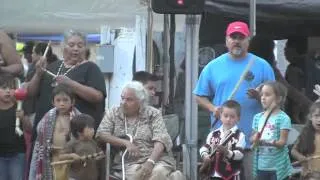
[53, 132]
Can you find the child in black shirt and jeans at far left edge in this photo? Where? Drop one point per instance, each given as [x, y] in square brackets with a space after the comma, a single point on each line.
[12, 146]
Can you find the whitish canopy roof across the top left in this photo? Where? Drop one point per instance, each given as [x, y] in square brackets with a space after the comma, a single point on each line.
[56, 16]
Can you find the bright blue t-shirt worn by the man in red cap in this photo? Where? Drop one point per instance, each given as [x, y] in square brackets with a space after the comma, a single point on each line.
[219, 78]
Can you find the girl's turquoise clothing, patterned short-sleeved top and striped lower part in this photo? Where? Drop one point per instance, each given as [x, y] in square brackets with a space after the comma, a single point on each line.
[271, 158]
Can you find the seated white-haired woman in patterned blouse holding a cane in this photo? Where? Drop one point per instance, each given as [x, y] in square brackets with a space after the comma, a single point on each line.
[149, 154]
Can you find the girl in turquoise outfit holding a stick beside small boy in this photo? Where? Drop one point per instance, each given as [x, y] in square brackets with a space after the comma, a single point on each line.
[270, 134]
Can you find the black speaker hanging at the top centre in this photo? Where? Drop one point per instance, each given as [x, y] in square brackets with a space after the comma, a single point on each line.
[177, 6]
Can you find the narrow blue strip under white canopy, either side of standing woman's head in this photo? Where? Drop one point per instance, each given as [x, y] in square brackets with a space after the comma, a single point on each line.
[91, 38]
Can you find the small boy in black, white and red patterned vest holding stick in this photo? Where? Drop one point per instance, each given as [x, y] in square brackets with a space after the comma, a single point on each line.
[223, 152]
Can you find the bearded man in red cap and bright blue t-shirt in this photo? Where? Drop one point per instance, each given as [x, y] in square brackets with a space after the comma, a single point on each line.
[218, 79]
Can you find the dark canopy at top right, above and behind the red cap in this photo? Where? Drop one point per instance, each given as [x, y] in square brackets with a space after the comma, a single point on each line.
[277, 18]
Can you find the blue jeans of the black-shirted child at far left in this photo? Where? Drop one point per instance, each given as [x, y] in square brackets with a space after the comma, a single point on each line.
[12, 167]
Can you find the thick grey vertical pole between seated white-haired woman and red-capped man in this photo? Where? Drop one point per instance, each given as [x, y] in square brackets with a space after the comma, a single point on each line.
[190, 157]
